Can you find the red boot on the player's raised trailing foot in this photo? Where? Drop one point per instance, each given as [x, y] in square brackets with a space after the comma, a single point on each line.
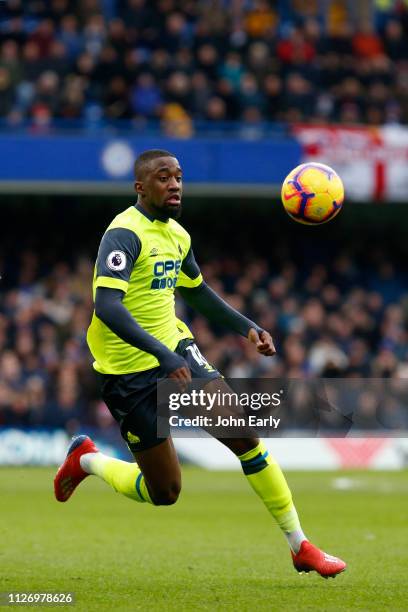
[70, 474]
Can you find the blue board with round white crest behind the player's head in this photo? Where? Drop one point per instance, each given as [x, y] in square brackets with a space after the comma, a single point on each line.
[101, 158]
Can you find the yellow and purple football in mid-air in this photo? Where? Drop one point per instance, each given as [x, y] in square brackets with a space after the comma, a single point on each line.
[312, 193]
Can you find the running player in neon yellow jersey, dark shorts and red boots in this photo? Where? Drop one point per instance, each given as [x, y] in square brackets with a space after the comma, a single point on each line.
[135, 339]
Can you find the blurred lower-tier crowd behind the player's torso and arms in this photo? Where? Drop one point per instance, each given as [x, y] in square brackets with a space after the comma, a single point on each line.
[342, 320]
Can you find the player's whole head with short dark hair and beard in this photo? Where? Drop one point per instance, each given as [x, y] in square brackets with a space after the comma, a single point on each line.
[159, 183]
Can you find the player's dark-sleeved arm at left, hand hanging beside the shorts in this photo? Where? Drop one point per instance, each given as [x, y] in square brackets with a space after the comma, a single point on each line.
[110, 310]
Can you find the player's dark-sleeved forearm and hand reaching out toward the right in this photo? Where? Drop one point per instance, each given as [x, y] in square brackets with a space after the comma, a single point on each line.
[208, 303]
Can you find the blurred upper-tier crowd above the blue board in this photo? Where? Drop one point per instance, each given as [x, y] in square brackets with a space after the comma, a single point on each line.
[179, 62]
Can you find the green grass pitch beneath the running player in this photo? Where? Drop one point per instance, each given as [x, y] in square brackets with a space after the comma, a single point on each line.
[216, 549]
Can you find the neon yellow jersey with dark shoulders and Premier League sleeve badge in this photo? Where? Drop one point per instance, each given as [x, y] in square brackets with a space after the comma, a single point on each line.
[146, 259]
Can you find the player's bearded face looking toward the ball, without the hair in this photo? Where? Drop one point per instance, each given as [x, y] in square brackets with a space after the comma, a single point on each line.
[161, 188]
